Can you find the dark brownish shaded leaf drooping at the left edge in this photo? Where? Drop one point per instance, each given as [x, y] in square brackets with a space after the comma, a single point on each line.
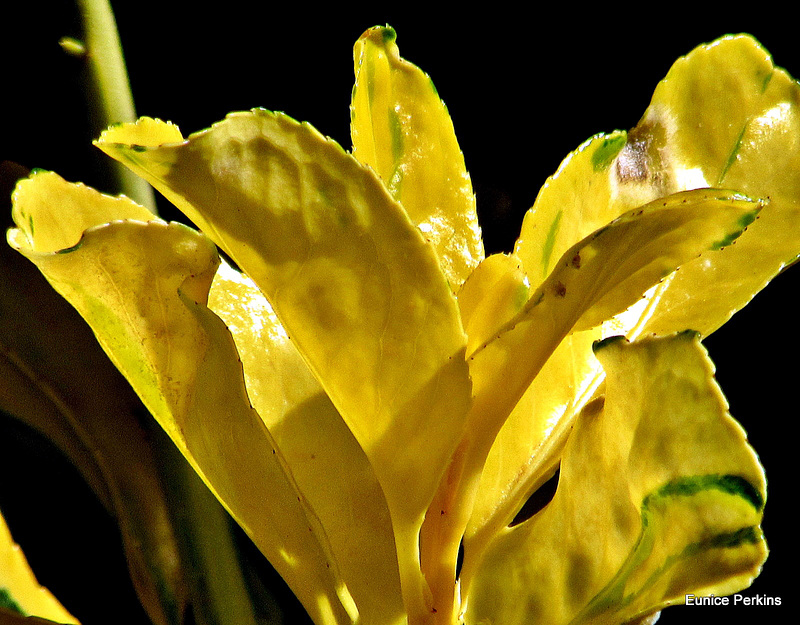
[55, 379]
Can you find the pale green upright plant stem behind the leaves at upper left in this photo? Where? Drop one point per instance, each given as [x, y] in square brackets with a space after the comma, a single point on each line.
[112, 101]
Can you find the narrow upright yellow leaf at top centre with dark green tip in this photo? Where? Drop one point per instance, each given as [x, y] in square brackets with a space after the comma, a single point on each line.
[402, 130]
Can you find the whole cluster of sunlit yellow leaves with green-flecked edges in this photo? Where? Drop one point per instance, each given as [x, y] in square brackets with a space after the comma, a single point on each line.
[374, 401]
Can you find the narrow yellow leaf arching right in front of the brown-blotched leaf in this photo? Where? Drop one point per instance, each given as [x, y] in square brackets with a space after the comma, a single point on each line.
[595, 279]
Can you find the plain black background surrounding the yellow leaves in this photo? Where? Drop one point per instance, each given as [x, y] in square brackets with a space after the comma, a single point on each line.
[524, 87]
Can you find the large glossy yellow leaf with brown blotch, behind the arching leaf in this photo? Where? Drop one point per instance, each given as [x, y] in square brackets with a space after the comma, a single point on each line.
[724, 115]
